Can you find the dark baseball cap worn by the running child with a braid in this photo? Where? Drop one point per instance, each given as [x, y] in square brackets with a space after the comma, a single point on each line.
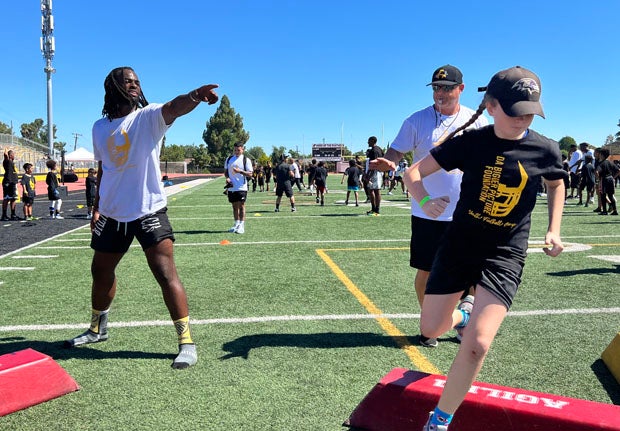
[517, 90]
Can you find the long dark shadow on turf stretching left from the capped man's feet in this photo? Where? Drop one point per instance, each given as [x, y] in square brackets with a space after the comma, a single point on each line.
[241, 347]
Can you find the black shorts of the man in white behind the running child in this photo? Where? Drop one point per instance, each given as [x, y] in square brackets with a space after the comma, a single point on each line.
[425, 237]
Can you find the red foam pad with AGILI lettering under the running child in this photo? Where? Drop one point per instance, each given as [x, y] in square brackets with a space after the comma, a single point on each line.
[402, 400]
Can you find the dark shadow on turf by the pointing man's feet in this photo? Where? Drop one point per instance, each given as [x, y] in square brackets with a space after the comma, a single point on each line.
[58, 352]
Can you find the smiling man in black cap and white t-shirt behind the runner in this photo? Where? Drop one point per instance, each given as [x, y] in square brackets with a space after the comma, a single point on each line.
[419, 133]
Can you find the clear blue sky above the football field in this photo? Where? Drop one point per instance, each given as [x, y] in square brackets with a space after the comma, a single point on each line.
[300, 72]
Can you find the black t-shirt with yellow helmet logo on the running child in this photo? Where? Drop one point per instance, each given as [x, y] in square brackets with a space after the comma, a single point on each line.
[500, 178]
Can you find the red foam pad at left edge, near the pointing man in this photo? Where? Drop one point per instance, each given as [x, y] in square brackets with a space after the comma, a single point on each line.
[28, 377]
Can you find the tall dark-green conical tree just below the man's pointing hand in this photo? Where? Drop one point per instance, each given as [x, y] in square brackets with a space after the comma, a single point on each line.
[224, 129]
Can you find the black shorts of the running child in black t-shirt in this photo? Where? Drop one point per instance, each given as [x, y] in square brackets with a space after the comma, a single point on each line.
[464, 259]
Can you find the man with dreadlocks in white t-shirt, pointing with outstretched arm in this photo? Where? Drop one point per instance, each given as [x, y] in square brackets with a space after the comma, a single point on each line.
[127, 144]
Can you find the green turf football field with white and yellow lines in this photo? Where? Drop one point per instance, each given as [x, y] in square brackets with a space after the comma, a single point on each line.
[295, 320]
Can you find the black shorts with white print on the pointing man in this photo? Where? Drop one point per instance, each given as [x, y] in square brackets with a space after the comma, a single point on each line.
[112, 236]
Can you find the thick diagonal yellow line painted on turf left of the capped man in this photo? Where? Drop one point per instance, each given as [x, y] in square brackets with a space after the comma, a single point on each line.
[412, 352]
